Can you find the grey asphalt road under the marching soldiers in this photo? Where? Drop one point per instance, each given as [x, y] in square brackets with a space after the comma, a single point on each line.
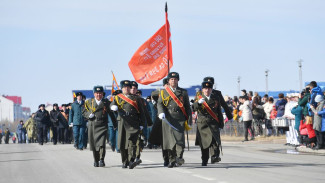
[241, 162]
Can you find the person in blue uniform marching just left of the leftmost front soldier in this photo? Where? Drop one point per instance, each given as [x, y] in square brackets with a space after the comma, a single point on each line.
[78, 121]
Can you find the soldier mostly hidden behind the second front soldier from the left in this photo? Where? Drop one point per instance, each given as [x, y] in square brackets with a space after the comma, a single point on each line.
[134, 91]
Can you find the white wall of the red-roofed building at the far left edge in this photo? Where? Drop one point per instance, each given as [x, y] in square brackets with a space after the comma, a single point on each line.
[6, 109]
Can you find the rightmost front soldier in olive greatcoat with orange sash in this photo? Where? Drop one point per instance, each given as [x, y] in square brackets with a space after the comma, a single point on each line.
[209, 109]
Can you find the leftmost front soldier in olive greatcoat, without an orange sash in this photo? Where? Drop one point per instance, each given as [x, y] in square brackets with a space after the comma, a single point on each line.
[96, 110]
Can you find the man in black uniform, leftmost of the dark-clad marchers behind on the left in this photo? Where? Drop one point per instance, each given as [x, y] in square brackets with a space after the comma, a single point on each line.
[42, 118]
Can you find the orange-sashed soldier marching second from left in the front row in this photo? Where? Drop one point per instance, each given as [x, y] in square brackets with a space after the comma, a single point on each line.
[131, 121]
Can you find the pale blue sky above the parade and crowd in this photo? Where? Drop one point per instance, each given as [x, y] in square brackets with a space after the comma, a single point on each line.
[49, 48]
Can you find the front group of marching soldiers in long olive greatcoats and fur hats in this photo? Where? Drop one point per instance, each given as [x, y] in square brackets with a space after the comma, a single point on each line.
[128, 113]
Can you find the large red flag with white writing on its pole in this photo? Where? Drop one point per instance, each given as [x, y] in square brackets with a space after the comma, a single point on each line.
[150, 62]
